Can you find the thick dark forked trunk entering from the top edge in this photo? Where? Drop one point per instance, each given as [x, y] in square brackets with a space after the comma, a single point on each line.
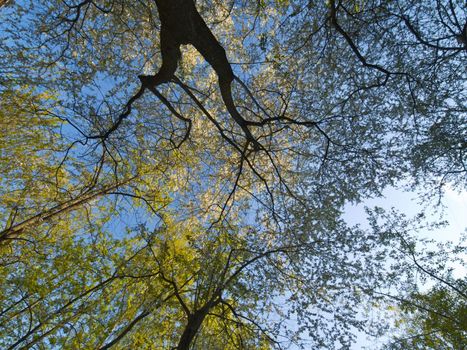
[181, 24]
